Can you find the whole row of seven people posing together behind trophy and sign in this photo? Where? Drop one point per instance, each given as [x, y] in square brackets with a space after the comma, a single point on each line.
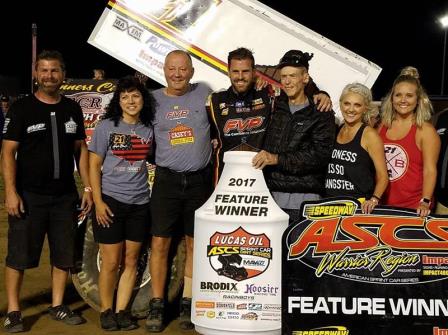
[184, 129]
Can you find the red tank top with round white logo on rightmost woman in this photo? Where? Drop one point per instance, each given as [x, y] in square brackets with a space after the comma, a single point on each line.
[405, 168]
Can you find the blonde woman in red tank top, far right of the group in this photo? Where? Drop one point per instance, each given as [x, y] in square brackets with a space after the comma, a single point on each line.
[411, 144]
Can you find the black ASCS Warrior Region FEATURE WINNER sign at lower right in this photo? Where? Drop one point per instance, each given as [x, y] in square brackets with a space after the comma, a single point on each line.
[344, 272]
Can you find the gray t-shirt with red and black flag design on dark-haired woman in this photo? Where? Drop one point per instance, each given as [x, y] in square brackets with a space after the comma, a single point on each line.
[124, 149]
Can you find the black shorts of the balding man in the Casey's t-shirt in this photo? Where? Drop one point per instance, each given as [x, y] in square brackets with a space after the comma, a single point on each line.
[174, 199]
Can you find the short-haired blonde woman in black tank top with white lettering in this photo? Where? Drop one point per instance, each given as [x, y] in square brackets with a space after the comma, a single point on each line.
[358, 166]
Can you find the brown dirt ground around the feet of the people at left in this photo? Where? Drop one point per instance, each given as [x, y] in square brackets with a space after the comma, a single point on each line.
[36, 297]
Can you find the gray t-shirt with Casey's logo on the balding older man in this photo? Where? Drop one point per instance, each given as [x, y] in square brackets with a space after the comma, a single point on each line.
[182, 129]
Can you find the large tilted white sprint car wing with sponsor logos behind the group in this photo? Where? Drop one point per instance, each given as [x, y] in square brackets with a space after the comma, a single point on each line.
[141, 33]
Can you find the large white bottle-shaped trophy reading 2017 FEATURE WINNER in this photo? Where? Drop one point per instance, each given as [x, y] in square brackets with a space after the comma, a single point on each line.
[237, 254]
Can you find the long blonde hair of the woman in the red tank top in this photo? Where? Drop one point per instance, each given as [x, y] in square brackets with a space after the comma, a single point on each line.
[424, 109]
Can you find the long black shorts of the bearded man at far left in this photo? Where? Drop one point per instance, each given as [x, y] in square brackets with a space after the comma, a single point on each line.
[55, 216]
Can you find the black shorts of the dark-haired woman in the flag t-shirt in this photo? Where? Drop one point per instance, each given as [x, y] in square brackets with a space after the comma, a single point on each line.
[130, 222]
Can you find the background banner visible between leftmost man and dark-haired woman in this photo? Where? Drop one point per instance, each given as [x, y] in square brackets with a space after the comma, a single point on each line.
[93, 96]
